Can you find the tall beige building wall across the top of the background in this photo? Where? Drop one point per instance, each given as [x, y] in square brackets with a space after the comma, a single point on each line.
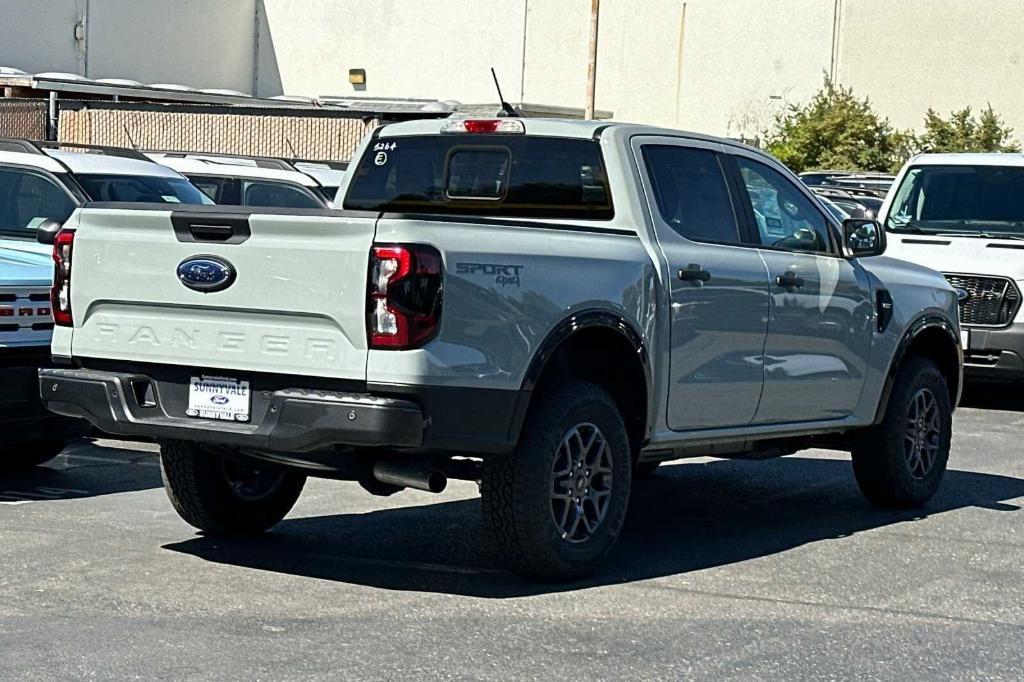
[723, 67]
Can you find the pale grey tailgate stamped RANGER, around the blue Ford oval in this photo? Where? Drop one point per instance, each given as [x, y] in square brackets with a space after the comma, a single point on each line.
[296, 306]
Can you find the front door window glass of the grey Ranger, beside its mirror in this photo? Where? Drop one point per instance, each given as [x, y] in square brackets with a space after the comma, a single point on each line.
[785, 218]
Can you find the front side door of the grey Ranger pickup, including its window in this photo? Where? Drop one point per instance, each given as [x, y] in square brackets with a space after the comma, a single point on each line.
[821, 329]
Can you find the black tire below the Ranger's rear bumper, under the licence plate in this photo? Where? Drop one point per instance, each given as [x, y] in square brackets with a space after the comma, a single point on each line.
[201, 493]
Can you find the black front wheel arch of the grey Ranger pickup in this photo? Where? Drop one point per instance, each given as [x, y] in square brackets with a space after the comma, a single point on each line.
[933, 337]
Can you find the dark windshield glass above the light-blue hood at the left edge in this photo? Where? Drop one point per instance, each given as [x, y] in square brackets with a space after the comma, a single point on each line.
[27, 199]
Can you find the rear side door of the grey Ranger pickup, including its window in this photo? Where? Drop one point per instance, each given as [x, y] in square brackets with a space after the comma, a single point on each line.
[718, 285]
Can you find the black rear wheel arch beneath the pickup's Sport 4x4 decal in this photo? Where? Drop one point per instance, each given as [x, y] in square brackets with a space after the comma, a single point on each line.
[606, 349]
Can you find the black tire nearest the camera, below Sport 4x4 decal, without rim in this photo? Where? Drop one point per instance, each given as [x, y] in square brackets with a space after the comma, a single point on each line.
[517, 489]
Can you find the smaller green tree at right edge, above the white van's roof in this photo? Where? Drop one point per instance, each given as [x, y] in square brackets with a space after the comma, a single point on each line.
[965, 133]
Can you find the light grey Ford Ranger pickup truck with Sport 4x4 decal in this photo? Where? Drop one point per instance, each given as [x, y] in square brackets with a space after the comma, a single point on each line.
[548, 308]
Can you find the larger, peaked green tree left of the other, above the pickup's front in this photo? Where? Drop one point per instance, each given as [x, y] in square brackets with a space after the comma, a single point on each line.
[836, 130]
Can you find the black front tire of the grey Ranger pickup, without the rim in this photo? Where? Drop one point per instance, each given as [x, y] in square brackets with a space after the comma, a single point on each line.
[880, 457]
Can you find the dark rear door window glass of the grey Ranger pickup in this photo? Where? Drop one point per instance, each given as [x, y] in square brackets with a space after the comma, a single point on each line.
[692, 193]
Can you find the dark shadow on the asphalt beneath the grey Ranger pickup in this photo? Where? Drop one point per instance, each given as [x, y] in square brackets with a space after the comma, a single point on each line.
[687, 518]
